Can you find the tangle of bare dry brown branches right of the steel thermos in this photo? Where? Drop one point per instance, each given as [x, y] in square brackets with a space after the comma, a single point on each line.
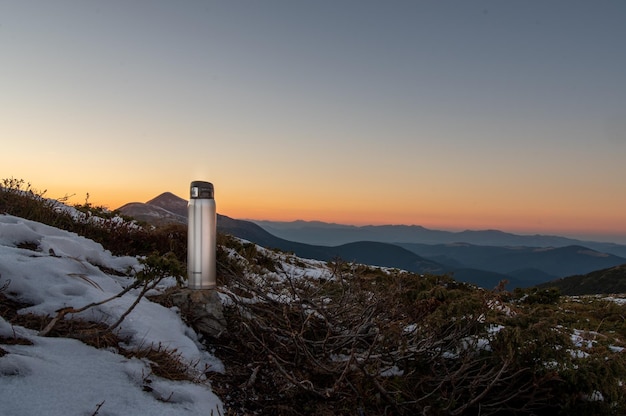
[345, 338]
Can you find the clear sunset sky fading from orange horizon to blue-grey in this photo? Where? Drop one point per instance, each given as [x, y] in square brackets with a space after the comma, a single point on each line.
[446, 114]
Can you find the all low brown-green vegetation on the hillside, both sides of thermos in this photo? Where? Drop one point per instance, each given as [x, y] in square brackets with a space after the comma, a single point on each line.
[371, 341]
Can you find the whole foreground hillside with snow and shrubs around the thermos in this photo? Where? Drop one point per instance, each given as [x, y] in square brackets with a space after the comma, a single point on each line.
[82, 333]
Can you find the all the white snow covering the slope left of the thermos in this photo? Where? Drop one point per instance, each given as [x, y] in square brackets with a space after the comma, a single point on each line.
[59, 376]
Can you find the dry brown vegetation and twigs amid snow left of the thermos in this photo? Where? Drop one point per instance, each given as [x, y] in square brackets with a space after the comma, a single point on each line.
[159, 255]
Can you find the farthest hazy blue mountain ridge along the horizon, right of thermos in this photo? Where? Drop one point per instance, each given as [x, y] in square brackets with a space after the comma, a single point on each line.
[316, 232]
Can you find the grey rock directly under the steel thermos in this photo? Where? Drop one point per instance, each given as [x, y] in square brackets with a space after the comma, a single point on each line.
[202, 309]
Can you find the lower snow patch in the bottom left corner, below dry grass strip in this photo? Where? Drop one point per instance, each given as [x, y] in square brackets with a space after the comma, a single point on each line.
[58, 376]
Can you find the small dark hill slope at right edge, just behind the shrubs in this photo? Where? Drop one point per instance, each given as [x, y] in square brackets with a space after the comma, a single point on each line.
[606, 281]
